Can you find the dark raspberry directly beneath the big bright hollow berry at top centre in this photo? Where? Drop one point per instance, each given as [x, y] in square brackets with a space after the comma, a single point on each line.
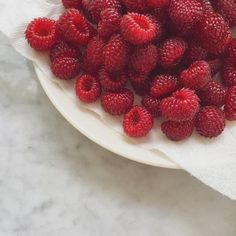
[145, 58]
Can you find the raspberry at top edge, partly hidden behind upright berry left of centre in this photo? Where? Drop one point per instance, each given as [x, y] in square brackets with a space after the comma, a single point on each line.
[97, 6]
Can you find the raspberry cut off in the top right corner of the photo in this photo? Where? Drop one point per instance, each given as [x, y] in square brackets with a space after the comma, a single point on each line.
[227, 8]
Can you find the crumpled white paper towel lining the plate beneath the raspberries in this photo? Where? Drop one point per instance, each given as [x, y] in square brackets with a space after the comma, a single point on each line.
[211, 161]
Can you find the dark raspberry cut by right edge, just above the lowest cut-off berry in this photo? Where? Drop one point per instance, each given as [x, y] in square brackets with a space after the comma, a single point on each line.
[229, 72]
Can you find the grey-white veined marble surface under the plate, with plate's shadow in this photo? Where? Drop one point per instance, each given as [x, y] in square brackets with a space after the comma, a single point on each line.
[54, 181]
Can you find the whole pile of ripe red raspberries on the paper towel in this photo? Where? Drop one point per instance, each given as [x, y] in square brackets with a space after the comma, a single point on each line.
[165, 51]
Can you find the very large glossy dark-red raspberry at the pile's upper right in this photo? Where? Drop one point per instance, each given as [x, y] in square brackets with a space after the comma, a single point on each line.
[213, 33]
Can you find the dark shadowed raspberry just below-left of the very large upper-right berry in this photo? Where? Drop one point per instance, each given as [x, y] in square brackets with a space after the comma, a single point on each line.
[195, 52]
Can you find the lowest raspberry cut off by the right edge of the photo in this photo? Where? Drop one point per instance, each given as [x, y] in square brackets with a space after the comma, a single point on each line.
[230, 104]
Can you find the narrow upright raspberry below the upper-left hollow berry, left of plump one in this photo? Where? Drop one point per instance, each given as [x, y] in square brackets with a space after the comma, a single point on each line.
[94, 51]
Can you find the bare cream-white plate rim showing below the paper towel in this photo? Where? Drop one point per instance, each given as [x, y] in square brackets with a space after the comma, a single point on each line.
[94, 128]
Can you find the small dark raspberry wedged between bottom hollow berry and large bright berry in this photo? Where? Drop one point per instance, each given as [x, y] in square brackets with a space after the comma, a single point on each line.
[152, 105]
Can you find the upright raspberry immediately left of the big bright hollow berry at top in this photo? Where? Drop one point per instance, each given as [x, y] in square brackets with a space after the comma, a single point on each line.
[109, 23]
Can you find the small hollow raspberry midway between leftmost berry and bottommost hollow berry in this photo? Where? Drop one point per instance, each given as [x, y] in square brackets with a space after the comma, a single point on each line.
[87, 89]
